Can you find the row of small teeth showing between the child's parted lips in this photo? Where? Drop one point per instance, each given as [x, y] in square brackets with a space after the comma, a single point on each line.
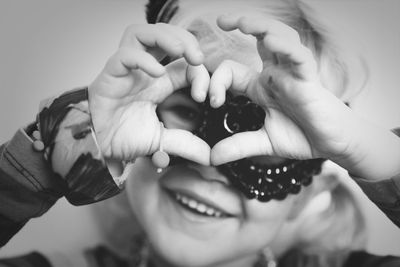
[197, 207]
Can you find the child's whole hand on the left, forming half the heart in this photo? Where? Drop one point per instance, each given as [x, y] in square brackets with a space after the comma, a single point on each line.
[124, 97]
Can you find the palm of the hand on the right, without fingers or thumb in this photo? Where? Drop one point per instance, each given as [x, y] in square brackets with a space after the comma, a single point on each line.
[301, 123]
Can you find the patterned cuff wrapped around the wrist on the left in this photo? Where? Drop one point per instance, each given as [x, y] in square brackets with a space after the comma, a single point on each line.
[72, 151]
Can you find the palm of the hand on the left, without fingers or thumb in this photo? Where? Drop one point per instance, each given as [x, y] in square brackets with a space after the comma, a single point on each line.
[118, 113]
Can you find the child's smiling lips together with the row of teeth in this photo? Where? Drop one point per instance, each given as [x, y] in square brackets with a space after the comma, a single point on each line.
[200, 195]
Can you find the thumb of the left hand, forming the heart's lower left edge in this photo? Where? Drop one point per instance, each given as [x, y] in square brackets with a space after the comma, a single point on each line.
[176, 142]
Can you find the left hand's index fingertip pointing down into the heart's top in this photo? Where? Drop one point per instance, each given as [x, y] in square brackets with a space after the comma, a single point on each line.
[199, 78]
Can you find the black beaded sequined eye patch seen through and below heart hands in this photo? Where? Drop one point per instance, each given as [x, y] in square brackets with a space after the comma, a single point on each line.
[255, 180]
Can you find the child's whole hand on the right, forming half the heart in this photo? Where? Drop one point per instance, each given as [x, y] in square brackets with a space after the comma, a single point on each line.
[303, 119]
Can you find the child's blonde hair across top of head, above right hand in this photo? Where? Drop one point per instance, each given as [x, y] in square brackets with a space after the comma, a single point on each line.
[333, 70]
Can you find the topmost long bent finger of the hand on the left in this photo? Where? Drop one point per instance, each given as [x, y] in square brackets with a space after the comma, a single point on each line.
[173, 40]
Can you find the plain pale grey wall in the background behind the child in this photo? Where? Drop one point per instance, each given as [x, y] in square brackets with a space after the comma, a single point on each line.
[50, 46]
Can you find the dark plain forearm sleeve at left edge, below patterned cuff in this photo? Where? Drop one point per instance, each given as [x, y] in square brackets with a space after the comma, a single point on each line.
[27, 187]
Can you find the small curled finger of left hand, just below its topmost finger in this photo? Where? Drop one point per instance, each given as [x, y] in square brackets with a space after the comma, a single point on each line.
[127, 59]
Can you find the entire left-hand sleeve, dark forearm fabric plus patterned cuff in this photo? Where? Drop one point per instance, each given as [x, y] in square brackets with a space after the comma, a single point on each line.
[68, 163]
